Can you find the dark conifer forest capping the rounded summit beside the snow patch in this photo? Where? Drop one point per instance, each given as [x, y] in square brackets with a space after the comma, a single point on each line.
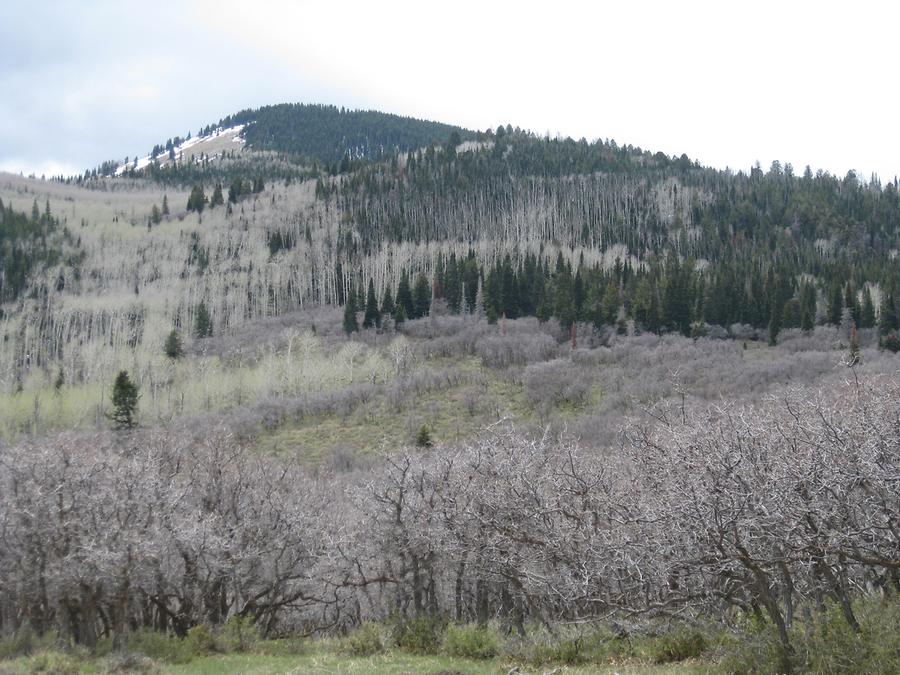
[332, 134]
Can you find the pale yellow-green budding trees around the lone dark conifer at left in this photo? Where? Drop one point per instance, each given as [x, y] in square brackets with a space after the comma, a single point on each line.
[191, 385]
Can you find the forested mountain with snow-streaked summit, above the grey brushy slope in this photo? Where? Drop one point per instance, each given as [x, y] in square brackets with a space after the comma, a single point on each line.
[295, 206]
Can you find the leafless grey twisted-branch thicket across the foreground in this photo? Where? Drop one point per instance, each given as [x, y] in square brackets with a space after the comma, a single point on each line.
[765, 509]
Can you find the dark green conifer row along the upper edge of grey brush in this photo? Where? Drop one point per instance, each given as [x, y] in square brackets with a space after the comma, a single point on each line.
[667, 295]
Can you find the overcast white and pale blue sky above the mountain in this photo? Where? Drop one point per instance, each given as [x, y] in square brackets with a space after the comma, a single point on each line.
[727, 83]
